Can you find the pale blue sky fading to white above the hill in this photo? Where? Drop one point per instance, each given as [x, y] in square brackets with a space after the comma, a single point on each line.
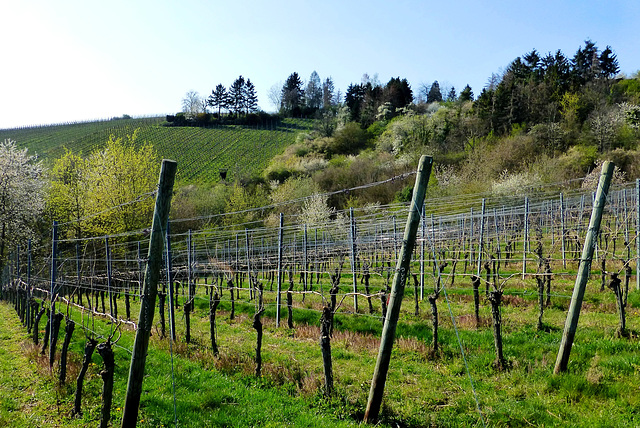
[78, 60]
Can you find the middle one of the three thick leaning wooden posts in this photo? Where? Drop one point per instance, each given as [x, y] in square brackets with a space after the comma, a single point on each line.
[397, 291]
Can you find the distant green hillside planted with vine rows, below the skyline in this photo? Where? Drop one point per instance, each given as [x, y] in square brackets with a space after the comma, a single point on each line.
[200, 152]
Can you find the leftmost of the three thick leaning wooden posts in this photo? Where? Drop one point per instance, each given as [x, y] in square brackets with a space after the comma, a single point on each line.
[148, 297]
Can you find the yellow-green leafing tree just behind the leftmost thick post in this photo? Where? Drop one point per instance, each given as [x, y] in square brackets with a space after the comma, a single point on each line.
[121, 179]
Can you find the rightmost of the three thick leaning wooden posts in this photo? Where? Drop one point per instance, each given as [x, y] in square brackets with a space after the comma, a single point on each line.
[571, 323]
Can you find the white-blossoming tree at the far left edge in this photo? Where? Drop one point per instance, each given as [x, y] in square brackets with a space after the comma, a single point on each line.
[21, 196]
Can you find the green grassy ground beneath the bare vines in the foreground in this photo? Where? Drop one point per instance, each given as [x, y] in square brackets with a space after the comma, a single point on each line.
[423, 388]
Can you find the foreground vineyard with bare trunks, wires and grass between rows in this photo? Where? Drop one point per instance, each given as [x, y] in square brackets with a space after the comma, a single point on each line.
[298, 311]
